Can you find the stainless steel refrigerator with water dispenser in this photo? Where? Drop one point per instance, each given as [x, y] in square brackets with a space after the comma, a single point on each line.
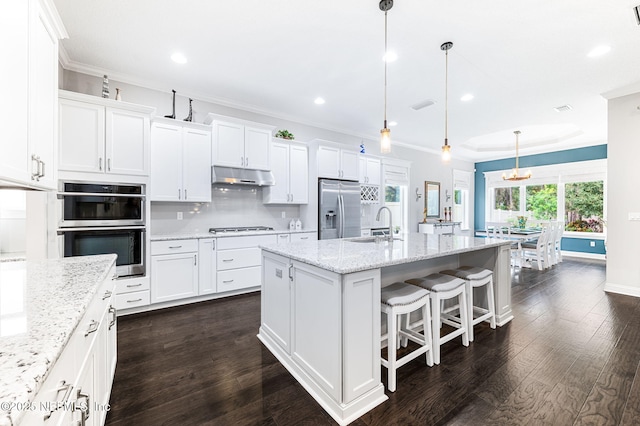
[338, 209]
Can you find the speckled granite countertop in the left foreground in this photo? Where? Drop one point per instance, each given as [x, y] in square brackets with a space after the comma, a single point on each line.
[42, 304]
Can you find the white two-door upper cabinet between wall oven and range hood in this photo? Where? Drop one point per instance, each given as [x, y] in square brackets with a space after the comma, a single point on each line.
[180, 162]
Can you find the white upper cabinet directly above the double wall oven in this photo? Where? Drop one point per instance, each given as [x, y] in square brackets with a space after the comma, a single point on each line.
[103, 136]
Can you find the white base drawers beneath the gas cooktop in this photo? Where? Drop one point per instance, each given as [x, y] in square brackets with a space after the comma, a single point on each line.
[239, 261]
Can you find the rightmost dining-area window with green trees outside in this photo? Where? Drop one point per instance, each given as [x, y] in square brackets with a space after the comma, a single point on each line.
[584, 206]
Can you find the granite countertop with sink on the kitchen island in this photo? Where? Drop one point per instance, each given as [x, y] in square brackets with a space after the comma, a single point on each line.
[348, 255]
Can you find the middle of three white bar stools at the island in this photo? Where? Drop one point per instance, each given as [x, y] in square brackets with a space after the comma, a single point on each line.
[443, 287]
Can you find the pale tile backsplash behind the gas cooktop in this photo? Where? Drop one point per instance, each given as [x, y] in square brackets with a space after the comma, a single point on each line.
[229, 206]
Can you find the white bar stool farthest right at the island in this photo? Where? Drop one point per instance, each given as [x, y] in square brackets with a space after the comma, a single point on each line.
[476, 277]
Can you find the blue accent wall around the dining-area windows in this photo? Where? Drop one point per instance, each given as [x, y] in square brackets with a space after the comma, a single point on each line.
[596, 152]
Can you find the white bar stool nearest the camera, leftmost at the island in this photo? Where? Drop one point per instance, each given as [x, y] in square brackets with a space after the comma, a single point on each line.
[401, 299]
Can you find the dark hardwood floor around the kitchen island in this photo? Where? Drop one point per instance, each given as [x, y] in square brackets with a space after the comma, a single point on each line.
[570, 357]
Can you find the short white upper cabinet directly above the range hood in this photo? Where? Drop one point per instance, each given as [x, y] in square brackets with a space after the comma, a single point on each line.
[238, 143]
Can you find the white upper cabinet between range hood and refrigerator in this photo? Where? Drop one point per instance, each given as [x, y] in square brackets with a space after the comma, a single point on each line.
[290, 168]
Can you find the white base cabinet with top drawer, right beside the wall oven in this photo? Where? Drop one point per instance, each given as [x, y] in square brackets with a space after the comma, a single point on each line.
[174, 270]
